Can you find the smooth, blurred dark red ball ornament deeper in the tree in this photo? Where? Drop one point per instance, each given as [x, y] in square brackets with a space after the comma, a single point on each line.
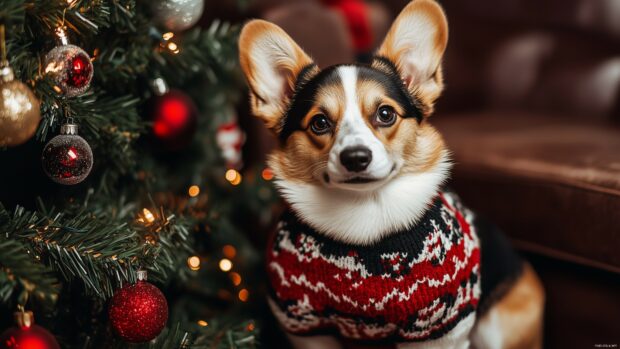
[174, 117]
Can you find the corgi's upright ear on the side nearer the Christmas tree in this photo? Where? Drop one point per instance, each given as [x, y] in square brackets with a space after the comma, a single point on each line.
[272, 62]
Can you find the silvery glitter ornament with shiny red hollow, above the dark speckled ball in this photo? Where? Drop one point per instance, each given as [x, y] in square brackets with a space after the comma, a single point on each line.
[70, 68]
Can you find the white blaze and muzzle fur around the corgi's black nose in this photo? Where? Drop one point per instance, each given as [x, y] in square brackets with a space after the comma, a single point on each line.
[353, 131]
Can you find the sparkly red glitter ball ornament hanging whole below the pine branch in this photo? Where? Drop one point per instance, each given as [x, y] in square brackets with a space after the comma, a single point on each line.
[138, 312]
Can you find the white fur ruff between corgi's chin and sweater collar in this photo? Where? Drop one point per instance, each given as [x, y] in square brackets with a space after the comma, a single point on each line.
[364, 217]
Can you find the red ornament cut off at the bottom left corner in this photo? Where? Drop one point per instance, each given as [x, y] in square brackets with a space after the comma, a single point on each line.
[27, 335]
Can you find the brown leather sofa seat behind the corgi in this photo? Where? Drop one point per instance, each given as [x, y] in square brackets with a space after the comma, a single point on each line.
[552, 183]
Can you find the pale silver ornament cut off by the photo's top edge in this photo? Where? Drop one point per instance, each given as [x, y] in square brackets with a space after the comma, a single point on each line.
[177, 15]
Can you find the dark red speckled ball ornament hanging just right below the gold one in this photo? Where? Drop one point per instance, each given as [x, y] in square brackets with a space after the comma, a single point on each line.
[67, 158]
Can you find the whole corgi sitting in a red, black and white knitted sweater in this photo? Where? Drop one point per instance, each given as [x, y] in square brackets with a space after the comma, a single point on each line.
[373, 250]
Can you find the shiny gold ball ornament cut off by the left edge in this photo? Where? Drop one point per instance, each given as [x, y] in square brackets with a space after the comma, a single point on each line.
[19, 110]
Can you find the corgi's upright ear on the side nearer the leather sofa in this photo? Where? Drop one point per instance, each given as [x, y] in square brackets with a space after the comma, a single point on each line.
[415, 45]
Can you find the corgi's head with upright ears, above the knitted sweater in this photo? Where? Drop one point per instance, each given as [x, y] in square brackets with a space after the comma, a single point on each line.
[350, 129]
